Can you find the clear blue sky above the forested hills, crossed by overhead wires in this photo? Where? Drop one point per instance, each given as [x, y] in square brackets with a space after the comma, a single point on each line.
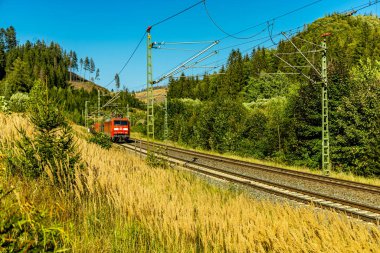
[108, 31]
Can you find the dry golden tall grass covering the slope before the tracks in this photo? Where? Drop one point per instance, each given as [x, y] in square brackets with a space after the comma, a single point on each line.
[122, 205]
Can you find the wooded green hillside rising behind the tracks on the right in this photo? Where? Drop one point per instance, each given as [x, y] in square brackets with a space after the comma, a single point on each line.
[278, 116]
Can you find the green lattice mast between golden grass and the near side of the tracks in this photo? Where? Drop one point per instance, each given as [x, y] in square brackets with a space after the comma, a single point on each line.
[149, 89]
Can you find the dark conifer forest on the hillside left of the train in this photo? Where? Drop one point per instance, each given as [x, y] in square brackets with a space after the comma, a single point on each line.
[21, 66]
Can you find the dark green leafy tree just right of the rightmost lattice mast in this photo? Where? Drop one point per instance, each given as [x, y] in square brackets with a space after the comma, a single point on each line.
[358, 123]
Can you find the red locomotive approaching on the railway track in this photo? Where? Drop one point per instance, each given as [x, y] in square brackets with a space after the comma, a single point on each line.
[118, 129]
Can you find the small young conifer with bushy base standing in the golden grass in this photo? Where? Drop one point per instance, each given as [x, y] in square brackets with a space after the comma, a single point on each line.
[53, 145]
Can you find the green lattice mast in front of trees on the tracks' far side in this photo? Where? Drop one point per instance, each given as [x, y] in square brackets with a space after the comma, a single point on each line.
[325, 115]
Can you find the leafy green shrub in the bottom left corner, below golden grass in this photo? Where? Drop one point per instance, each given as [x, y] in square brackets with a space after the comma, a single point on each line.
[23, 228]
